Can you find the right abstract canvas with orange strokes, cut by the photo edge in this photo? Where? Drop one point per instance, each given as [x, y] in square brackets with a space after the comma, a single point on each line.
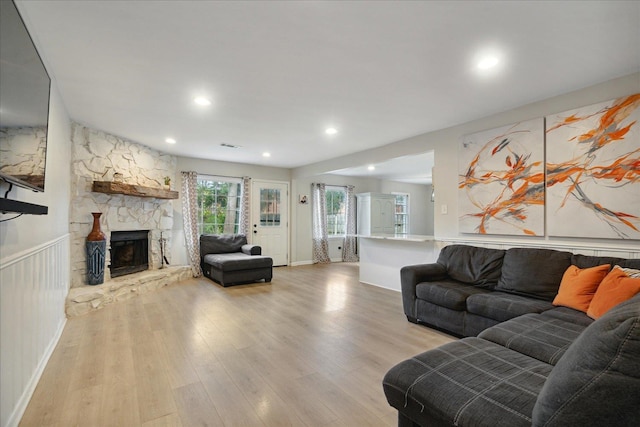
[593, 170]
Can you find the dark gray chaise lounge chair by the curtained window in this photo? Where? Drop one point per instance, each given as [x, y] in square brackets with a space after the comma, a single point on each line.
[229, 260]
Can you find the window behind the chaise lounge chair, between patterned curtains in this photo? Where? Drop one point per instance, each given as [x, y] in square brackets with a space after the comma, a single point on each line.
[219, 201]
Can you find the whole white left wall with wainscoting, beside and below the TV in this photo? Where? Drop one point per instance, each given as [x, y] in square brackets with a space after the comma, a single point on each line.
[34, 273]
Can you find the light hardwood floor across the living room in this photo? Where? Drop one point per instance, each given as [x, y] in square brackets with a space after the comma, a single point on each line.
[309, 349]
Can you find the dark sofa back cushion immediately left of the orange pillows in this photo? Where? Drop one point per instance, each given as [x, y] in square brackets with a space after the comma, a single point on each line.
[533, 272]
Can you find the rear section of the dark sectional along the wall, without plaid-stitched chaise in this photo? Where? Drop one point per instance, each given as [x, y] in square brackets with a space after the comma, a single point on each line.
[470, 288]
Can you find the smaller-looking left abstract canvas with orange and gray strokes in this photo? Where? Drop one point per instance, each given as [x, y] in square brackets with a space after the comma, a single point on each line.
[501, 180]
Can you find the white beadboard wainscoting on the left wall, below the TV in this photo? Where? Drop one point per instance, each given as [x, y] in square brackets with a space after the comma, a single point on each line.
[33, 288]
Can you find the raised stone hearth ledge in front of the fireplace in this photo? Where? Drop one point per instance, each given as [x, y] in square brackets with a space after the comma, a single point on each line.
[83, 299]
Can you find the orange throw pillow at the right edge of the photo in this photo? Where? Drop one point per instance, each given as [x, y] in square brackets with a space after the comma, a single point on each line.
[617, 287]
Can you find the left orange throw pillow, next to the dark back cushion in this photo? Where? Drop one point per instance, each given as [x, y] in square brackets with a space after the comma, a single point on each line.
[578, 286]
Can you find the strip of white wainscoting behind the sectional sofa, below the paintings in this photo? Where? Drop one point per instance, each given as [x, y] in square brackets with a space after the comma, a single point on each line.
[624, 250]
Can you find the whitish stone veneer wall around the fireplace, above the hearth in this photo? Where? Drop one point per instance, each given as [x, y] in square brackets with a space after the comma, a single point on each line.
[96, 156]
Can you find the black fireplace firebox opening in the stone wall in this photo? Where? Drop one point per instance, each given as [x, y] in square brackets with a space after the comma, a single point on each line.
[129, 252]
